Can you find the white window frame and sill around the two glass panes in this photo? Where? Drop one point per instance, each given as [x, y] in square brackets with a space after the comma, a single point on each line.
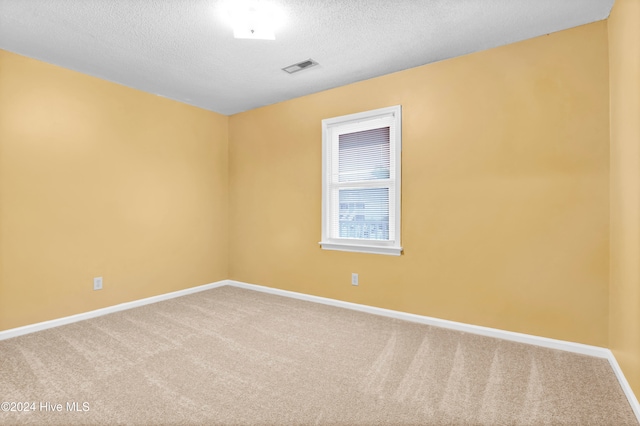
[331, 129]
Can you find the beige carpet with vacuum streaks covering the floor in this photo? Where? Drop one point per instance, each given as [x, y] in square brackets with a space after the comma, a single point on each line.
[236, 357]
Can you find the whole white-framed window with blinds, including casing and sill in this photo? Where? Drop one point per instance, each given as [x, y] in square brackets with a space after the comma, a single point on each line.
[361, 182]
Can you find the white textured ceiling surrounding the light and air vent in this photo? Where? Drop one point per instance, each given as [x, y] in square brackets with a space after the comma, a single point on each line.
[183, 49]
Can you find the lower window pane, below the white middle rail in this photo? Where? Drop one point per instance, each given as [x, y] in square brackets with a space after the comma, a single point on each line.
[364, 213]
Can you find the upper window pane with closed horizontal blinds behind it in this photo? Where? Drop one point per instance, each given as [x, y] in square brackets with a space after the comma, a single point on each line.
[364, 155]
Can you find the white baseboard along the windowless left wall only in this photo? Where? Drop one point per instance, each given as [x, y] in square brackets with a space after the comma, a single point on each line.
[32, 328]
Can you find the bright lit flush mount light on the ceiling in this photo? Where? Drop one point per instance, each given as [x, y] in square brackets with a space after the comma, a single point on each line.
[252, 19]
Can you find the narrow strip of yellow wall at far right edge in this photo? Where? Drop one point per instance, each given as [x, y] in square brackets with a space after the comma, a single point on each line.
[624, 57]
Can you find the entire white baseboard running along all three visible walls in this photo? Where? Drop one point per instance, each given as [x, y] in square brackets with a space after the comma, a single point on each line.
[545, 342]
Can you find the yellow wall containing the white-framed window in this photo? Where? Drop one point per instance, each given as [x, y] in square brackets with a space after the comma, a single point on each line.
[505, 218]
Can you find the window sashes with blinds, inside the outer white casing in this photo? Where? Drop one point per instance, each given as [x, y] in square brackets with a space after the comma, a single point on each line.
[363, 181]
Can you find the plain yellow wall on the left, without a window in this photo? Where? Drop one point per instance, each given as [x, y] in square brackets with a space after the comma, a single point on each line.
[98, 179]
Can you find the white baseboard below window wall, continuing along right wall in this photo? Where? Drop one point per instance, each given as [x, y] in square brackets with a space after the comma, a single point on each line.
[545, 342]
